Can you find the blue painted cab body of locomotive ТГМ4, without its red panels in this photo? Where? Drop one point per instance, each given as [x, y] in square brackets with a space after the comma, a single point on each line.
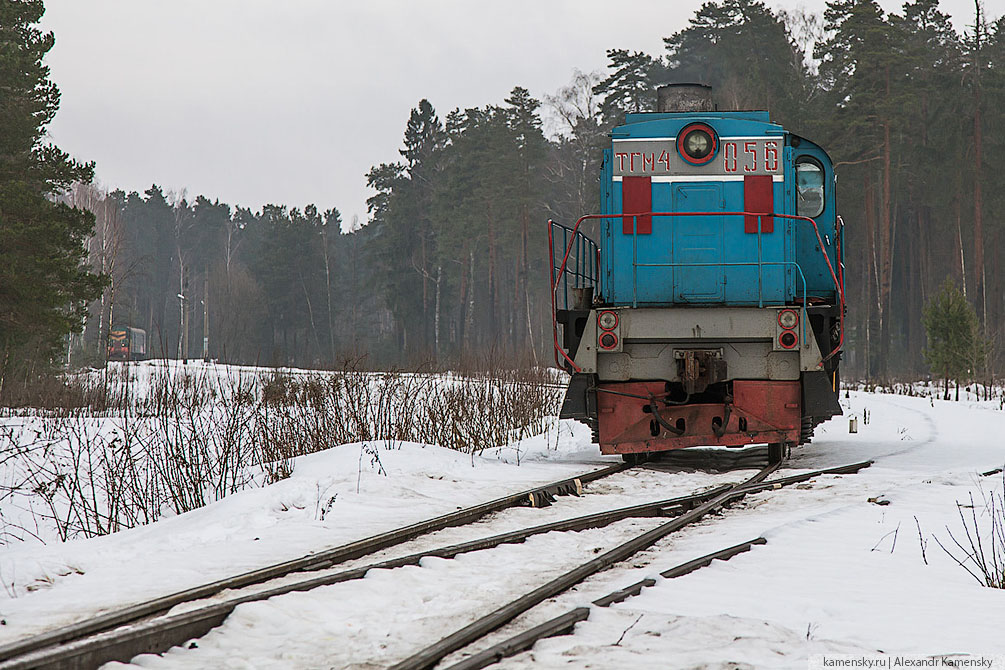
[711, 260]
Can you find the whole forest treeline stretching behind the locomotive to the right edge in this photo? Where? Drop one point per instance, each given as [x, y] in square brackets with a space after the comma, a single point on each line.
[453, 262]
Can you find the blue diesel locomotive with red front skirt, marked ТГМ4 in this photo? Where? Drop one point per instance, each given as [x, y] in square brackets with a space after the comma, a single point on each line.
[710, 310]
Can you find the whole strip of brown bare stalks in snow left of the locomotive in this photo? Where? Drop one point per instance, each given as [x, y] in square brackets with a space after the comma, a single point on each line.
[125, 459]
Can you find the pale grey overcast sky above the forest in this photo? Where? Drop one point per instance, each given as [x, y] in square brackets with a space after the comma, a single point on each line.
[257, 102]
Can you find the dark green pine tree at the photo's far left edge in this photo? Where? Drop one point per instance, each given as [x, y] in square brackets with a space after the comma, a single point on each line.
[45, 285]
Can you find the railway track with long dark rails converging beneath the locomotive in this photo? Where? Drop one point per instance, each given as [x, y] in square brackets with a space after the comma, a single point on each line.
[144, 628]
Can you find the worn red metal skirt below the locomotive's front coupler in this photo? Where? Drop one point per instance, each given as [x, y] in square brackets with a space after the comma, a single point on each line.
[767, 411]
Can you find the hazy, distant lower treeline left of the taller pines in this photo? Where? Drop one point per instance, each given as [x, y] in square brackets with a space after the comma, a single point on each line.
[282, 286]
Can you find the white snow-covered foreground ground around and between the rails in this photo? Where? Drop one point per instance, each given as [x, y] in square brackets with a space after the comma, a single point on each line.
[840, 575]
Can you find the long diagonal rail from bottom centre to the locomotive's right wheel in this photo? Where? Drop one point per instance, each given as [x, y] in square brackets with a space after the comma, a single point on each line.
[434, 654]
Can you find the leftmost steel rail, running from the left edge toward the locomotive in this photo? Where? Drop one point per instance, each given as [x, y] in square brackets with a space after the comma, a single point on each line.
[537, 497]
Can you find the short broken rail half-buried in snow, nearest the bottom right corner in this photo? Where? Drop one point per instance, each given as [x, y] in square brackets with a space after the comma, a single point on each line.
[564, 624]
